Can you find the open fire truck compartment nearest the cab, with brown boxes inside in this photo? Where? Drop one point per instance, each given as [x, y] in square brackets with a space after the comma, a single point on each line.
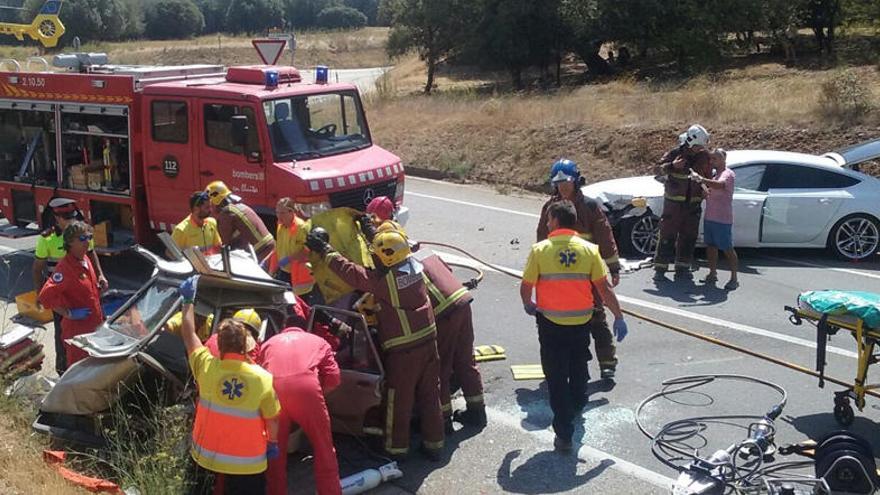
[95, 148]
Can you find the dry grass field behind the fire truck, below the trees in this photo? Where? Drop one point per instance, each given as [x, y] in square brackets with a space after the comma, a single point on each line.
[340, 49]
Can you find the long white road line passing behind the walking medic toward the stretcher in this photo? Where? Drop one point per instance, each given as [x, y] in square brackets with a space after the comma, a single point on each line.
[682, 313]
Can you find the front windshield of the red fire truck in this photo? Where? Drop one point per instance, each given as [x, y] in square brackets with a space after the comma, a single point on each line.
[311, 126]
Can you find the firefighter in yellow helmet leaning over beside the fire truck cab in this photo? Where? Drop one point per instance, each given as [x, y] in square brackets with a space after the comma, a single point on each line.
[239, 225]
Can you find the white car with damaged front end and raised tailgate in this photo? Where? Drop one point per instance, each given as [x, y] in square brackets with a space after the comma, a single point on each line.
[782, 199]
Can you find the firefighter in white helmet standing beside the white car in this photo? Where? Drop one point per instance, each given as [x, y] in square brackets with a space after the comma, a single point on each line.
[680, 222]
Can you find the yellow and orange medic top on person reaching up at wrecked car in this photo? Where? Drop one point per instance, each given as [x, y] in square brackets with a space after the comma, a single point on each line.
[229, 432]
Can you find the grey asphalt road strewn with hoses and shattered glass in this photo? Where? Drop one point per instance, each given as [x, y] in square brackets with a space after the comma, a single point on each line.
[515, 453]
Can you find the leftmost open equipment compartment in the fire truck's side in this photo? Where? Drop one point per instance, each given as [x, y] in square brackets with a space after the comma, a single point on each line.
[27, 147]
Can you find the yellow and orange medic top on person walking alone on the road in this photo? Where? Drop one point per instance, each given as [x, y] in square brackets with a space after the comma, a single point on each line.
[562, 269]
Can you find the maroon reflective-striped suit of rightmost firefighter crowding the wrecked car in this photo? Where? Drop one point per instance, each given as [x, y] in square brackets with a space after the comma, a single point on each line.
[455, 333]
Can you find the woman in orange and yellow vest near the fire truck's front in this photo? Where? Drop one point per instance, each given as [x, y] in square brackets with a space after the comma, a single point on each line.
[288, 263]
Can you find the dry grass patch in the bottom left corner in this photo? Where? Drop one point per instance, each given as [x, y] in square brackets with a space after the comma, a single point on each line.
[21, 456]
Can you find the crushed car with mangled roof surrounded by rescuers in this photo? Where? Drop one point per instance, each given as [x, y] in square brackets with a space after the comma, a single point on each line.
[132, 358]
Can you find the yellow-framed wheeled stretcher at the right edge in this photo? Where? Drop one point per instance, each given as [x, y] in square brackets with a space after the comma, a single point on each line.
[866, 338]
